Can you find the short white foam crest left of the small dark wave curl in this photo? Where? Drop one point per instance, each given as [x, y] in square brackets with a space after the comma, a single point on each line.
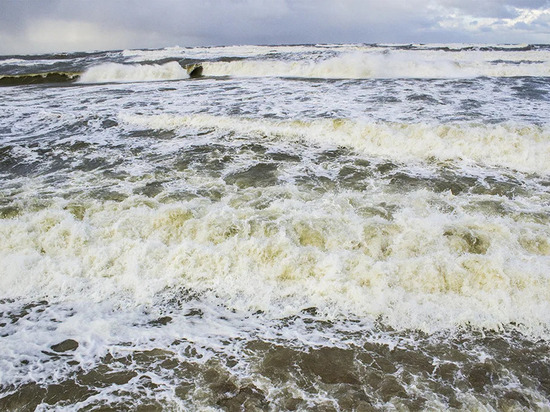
[115, 72]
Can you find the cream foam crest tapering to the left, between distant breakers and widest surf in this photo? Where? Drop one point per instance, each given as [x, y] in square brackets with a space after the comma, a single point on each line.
[523, 148]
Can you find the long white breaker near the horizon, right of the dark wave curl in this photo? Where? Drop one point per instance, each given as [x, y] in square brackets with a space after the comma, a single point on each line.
[361, 65]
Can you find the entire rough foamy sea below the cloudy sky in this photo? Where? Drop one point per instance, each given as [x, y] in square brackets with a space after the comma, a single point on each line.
[329, 227]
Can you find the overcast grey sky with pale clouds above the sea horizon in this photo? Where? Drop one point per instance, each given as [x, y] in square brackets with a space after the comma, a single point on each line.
[41, 26]
